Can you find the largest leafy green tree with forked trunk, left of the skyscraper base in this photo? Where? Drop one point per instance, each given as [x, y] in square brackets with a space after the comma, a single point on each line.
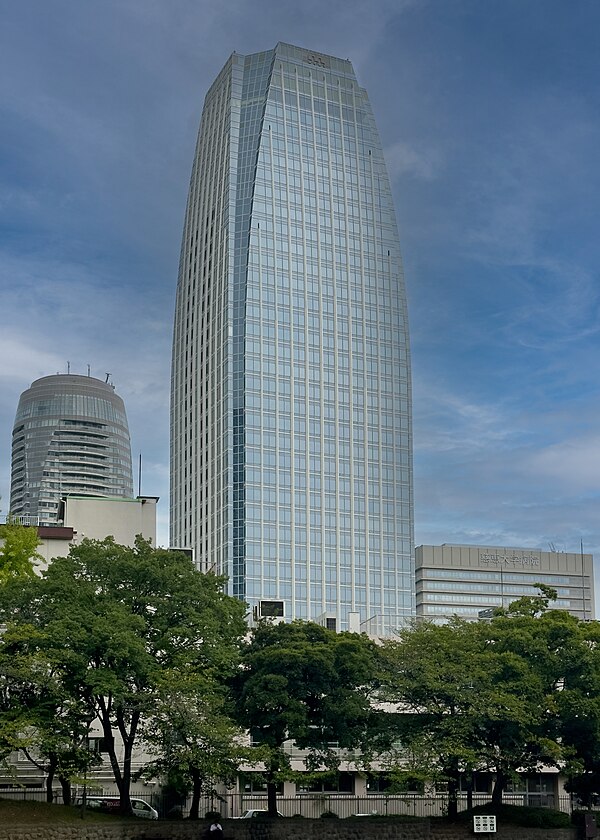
[111, 619]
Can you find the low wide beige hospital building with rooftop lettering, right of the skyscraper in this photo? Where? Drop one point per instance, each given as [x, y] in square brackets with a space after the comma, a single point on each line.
[465, 580]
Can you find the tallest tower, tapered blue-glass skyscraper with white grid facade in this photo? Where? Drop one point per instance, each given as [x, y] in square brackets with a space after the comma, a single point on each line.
[291, 441]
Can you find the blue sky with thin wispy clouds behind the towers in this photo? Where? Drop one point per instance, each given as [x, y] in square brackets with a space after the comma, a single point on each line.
[489, 114]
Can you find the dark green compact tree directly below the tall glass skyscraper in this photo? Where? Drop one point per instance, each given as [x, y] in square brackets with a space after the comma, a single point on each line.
[300, 682]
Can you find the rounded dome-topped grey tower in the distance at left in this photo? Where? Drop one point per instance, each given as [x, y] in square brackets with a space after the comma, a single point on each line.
[70, 437]
